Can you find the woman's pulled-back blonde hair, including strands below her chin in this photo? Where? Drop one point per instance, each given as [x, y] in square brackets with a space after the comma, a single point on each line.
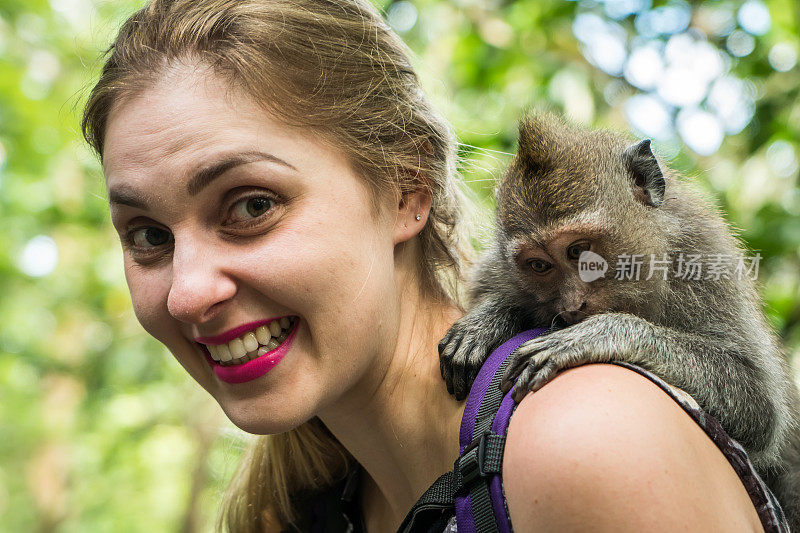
[335, 68]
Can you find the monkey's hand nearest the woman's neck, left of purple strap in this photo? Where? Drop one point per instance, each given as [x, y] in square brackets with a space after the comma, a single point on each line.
[472, 338]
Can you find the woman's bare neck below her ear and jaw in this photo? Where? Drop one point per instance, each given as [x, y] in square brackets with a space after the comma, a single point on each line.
[402, 425]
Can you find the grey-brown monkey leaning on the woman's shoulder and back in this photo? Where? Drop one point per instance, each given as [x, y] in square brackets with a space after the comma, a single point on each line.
[572, 198]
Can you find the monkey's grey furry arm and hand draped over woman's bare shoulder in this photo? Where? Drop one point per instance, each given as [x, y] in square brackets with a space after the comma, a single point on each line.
[721, 374]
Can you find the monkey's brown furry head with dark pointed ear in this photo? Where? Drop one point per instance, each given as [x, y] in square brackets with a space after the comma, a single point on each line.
[578, 209]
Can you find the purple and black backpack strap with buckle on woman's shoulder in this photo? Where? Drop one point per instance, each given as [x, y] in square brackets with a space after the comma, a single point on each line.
[483, 429]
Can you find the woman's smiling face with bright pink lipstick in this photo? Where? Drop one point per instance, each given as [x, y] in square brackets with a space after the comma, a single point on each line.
[230, 221]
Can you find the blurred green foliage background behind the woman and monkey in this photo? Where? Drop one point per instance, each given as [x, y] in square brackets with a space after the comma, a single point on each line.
[100, 430]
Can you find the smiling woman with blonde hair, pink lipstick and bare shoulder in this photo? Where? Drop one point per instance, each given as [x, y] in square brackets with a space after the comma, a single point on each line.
[291, 227]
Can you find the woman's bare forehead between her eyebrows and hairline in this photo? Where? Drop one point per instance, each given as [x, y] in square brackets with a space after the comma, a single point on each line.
[184, 123]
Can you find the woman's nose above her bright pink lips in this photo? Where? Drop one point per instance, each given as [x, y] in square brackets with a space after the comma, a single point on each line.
[200, 286]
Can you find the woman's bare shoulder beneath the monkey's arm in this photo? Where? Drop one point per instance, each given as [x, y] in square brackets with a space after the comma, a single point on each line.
[603, 445]
